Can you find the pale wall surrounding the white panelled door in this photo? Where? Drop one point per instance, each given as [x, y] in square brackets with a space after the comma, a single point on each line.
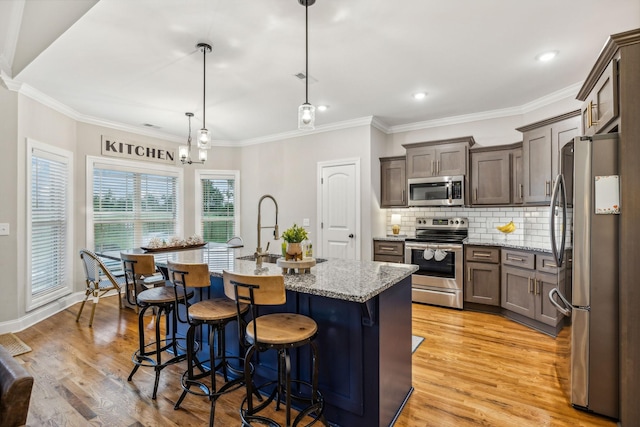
[287, 170]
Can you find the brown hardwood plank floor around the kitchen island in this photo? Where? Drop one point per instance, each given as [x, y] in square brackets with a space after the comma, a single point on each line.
[472, 369]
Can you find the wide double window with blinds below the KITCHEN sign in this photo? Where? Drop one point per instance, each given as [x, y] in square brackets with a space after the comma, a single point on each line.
[132, 203]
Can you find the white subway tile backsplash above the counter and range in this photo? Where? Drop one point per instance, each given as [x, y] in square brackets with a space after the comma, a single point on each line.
[532, 222]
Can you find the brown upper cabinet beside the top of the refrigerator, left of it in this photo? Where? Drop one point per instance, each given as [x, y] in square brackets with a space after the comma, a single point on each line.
[542, 143]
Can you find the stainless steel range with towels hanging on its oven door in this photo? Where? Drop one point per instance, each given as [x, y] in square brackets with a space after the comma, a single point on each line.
[437, 250]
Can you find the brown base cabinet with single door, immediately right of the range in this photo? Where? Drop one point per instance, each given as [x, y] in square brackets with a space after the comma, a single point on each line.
[482, 281]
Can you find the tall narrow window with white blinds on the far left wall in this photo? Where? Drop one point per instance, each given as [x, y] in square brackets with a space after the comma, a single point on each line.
[49, 223]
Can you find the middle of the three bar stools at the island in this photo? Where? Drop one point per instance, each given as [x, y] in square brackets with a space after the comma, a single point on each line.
[216, 313]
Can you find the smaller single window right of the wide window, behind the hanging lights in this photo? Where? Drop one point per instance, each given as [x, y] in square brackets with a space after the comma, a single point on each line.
[217, 196]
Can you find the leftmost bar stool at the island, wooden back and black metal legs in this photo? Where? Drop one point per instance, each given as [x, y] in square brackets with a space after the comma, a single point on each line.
[161, 299]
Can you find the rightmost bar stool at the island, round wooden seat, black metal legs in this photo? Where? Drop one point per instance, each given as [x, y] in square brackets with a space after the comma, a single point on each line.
[279, 331]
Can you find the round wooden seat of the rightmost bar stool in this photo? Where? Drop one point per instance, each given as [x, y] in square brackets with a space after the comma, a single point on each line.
[282, 328]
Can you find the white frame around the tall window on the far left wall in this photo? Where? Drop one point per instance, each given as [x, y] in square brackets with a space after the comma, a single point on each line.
[66, 156]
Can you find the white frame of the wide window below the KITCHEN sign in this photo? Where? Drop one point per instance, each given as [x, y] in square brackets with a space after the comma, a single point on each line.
[94, 162]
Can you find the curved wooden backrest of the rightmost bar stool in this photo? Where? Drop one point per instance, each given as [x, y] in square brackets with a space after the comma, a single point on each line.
[255, 290]
